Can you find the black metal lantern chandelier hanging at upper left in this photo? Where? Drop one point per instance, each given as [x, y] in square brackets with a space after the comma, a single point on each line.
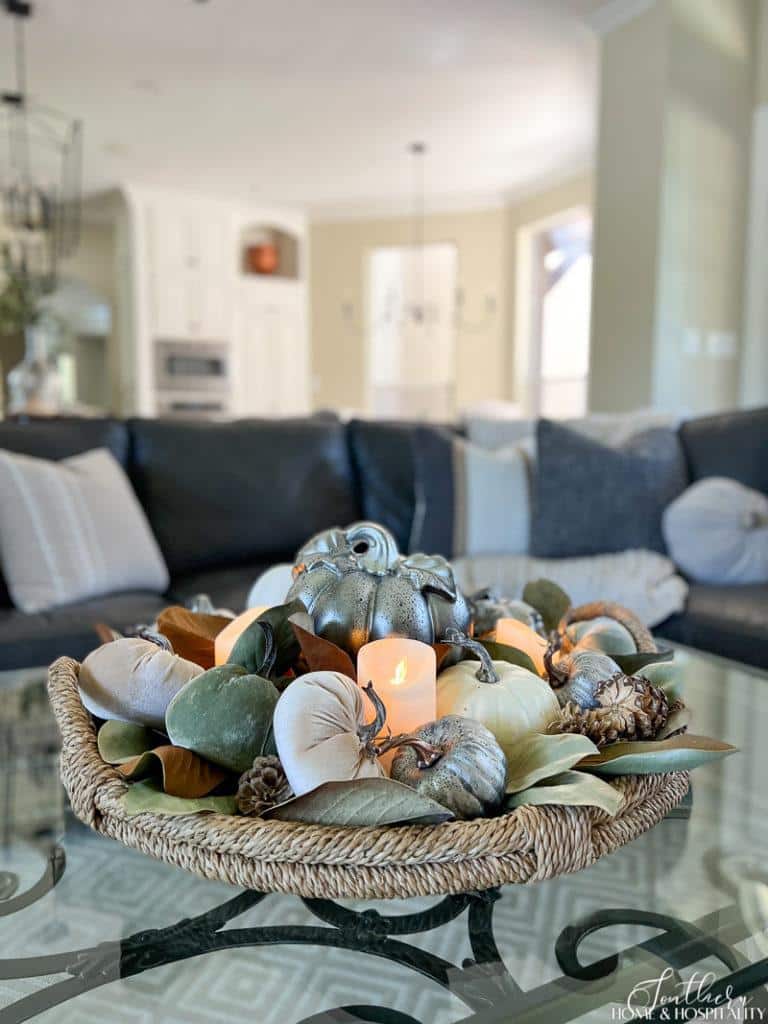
[39, 175]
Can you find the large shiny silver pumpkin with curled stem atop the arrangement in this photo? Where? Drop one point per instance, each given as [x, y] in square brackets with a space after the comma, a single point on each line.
[358, 588]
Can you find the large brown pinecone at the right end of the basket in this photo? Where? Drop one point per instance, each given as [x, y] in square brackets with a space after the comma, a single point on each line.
[629, 708]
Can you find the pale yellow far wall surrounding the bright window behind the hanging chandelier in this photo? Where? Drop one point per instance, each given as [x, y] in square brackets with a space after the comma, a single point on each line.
[486, 243]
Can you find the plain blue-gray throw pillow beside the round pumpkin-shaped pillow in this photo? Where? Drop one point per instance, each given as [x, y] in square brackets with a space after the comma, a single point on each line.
[589, 499]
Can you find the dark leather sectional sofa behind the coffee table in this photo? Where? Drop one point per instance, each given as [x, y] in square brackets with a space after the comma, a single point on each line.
[229, 500]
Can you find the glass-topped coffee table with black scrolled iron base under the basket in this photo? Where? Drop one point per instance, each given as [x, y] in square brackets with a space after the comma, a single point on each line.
[672, 927]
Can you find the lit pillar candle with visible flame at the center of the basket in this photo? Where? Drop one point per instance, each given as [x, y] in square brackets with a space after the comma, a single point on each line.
[405, 676]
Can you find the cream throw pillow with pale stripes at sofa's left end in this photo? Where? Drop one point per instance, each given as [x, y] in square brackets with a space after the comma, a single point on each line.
[73, 530]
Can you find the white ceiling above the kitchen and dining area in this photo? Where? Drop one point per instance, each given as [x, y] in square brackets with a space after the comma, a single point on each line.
[314, 104]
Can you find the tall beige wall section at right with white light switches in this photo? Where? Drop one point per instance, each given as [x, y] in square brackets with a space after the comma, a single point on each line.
[676, 95]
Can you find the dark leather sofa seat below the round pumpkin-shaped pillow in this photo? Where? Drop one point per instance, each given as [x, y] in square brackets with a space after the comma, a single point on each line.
[732, 622]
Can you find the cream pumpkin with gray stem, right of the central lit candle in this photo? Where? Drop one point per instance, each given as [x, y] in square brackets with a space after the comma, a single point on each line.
[517, 704]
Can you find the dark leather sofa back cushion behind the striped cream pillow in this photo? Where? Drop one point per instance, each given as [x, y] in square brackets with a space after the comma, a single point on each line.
[61, 438]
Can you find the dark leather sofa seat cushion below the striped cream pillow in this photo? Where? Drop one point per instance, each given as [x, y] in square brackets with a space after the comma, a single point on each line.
[31, 641]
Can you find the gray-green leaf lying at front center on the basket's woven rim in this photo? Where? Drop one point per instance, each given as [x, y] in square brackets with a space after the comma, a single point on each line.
[362, 802]
